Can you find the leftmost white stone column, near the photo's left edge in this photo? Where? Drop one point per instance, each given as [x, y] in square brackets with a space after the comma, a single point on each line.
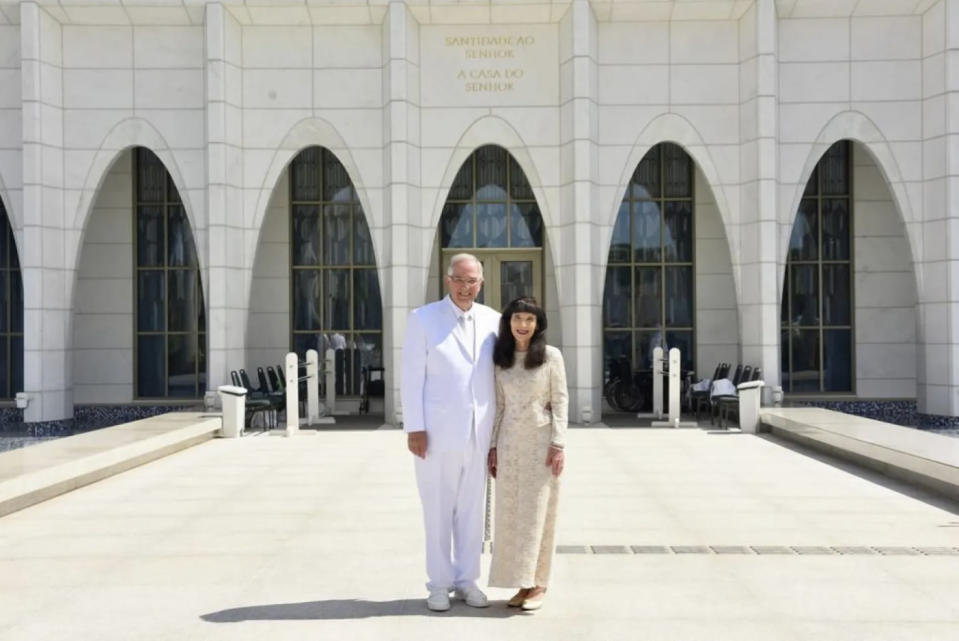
[48, 273]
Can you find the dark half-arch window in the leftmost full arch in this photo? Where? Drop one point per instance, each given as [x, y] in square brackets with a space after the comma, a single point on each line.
[170, 314]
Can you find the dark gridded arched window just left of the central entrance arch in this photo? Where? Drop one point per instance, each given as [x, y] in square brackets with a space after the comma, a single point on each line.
[335, 289]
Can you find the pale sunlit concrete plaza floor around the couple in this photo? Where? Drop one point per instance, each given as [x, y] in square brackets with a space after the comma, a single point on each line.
[320, 537]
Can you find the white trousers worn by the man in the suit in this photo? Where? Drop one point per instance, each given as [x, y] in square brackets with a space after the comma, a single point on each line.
[452, 488]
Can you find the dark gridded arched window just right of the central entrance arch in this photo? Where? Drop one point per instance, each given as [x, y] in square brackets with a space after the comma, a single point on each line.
[648, 301]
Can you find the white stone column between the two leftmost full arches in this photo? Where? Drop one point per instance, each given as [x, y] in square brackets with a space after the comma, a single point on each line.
[231, 244]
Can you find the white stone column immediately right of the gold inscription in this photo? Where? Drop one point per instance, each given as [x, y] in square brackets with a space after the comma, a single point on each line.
[579, 235]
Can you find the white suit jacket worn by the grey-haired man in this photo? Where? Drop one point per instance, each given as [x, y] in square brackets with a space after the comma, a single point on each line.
[442, 388]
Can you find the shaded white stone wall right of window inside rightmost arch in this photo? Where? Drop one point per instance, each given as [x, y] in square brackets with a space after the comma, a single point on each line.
[885, 289]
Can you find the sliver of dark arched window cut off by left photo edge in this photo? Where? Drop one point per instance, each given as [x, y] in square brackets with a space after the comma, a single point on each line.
[11, 312]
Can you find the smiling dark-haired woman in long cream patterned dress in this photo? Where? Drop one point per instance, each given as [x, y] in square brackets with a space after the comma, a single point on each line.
[526, 453]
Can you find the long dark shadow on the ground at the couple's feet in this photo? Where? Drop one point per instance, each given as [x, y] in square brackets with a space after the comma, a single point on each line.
[352, 609]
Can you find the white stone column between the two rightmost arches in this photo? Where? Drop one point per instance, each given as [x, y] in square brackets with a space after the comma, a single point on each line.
[756, 260]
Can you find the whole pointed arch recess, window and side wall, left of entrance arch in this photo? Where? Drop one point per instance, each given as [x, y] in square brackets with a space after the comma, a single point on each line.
[328, 268]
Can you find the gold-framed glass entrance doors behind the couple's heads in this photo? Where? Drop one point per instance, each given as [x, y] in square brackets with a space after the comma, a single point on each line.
[507, 274]
